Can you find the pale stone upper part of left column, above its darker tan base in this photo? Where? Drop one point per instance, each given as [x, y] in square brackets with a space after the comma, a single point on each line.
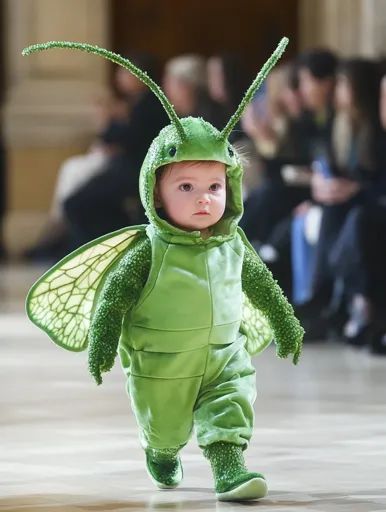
[49, 94]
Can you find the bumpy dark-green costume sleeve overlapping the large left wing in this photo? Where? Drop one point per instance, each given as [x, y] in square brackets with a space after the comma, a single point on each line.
[119, 293]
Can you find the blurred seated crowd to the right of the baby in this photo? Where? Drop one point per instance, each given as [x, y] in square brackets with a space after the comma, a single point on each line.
[319, 217]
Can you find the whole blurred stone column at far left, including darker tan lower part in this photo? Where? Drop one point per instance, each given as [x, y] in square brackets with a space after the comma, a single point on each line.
[47, 115]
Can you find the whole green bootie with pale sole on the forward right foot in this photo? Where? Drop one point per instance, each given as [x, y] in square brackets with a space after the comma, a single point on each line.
[233, 482]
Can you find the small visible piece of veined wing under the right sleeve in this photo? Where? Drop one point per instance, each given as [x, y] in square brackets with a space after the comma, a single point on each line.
[256, 328]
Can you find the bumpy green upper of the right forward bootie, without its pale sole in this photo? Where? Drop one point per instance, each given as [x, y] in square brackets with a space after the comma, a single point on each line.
[228, 466]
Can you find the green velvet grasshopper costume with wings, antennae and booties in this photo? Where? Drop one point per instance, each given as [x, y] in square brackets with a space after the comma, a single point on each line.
[185, 313]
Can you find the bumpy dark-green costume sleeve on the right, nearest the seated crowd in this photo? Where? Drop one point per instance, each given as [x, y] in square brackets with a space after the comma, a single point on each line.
[267, 296]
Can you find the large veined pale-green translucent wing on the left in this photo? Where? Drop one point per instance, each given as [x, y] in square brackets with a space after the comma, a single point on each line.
[61, 301]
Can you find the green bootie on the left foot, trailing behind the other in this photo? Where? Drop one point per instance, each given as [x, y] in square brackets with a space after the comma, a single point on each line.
[164, 467]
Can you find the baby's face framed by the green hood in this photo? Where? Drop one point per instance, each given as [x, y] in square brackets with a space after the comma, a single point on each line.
[193, 194]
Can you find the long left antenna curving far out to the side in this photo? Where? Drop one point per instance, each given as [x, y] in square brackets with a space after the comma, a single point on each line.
[121, 61]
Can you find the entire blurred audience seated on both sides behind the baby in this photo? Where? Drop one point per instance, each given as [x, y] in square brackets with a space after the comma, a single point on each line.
[314, 149]
